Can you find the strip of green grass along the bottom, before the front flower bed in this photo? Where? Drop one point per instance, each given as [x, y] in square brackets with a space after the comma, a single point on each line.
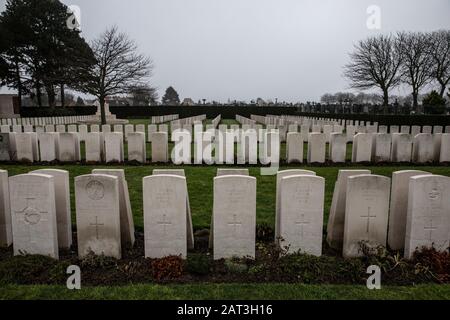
[229, 292]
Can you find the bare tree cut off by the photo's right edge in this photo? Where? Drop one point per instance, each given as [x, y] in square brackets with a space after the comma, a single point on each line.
[439, 50]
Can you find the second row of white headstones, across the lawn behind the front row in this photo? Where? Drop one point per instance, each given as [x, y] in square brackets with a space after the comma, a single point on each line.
[109, 147]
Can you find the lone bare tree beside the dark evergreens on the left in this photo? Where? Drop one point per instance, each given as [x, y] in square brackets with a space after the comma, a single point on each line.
[118, 68]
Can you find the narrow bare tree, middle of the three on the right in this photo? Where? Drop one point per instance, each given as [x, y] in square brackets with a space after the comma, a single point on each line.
[416, 62]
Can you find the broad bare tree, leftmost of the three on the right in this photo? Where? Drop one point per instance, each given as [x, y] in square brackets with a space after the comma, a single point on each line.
[375, 63]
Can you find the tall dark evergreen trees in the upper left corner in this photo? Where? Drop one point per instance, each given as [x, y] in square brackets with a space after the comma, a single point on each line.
[41, 51]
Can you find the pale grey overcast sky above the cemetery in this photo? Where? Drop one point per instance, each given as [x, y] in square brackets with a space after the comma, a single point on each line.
[292, 50]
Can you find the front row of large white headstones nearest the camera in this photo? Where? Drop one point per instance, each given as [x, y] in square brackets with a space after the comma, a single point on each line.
[365, 214]
